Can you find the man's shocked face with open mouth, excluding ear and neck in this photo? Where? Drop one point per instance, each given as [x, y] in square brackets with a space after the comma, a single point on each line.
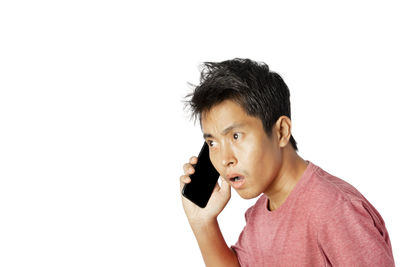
[239, 147]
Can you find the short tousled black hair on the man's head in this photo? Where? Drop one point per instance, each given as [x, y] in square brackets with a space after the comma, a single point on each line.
[260, 92]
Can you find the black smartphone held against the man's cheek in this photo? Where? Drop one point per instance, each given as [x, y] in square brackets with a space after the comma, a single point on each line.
[203, 180]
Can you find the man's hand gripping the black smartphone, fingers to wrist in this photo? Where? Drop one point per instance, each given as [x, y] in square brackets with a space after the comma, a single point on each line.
[218, 200]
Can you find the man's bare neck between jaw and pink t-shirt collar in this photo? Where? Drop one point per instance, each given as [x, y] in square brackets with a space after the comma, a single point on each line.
[292, 169]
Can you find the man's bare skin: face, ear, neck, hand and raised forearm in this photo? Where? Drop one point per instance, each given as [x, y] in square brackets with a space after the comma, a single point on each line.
[239, 145]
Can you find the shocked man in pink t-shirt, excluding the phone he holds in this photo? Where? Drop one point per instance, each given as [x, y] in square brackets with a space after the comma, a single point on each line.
[305, 216]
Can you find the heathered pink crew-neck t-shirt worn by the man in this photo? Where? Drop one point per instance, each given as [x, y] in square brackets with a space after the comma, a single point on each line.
[324, 222]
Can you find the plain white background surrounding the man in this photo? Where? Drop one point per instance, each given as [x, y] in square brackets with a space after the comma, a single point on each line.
[93, 134]
